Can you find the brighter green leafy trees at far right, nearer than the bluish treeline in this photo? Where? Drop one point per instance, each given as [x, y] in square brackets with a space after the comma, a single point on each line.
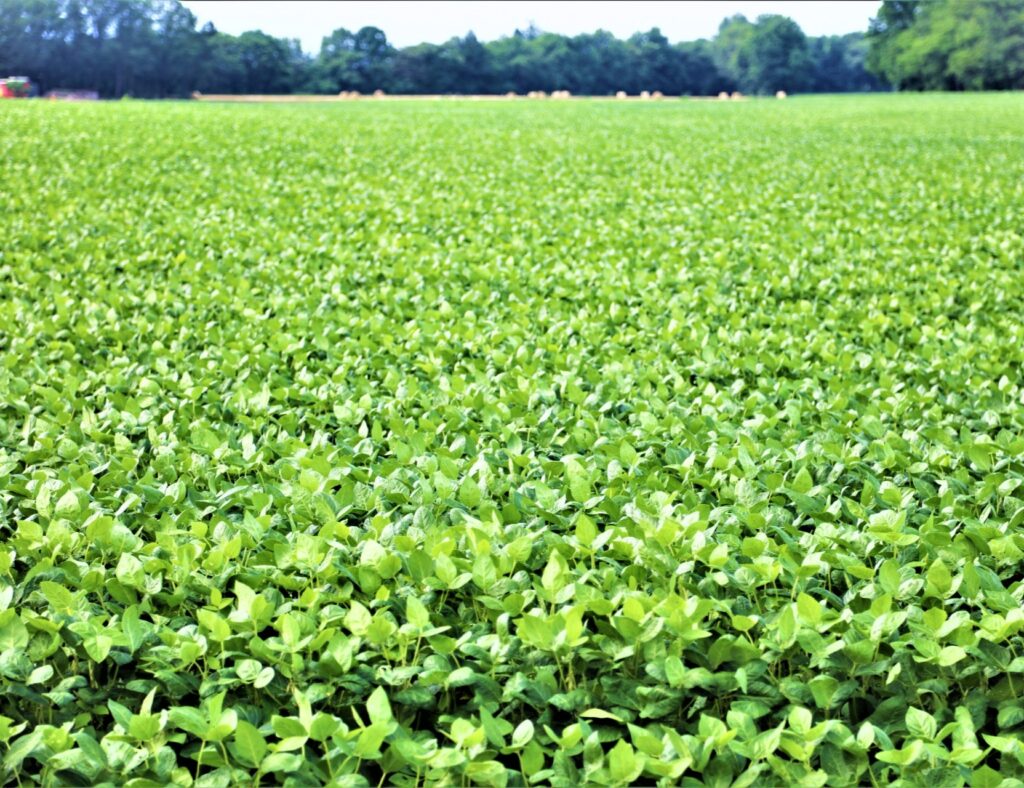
[950, 45]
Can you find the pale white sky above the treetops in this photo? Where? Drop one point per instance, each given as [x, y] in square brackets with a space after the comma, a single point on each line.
[437, 21]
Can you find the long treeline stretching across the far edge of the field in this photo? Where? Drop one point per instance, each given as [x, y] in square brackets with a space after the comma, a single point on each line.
[152, 49]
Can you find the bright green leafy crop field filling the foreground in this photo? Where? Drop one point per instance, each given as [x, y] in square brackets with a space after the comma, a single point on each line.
[565, 444]
